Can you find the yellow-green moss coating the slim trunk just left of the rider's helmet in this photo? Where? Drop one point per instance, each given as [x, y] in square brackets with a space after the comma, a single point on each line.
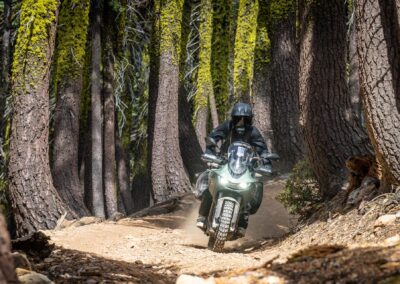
[204, 80]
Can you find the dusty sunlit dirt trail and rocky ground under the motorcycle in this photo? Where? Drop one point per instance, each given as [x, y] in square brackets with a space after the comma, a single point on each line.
[341, 248]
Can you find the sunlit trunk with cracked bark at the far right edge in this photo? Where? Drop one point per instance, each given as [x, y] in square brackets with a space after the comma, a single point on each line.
[378, 48]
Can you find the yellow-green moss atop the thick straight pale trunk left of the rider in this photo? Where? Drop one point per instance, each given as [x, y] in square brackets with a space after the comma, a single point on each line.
[170, 24]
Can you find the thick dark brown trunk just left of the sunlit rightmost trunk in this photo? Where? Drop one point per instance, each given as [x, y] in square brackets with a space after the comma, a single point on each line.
[330, 133]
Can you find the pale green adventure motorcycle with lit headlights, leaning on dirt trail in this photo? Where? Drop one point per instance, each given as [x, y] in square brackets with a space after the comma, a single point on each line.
[236, 187]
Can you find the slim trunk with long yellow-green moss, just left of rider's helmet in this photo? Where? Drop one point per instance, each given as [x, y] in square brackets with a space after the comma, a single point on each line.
[204, 79]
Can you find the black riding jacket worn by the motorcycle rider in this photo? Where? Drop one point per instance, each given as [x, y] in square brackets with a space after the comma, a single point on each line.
[228, 135]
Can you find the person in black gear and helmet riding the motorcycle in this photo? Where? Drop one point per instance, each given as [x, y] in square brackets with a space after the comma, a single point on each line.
[238, 128]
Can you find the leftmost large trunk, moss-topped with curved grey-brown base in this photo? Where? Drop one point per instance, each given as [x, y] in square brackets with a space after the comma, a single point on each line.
[36, 203]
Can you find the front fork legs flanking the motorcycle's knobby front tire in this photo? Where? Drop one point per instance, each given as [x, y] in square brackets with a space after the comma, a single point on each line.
[214, 218]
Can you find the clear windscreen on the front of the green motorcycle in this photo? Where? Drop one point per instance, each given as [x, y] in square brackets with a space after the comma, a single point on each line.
[238, 158]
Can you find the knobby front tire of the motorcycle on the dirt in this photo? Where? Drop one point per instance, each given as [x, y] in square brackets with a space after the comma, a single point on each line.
[217, 241]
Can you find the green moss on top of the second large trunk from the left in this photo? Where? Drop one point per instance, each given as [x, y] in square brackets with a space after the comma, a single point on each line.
[71, 39]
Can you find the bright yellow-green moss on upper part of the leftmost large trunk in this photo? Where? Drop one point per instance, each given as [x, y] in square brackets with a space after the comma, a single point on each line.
[37, 23]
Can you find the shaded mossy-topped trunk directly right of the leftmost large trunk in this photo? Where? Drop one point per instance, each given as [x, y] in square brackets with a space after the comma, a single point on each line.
[71, 46]
